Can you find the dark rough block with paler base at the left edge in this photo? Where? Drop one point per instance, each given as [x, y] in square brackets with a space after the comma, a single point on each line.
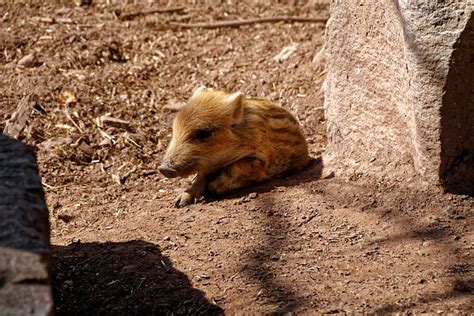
[24, 234]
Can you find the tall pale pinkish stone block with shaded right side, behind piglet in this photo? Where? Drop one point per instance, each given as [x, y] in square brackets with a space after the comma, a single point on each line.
[400, 90]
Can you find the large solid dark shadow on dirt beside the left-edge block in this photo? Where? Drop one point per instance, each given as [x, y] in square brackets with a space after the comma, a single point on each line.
[124, 278]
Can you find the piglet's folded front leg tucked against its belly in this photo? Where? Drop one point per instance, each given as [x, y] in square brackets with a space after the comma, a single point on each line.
[238, 174]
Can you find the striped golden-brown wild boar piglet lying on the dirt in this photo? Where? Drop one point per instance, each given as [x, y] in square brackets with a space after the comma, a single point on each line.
[230, 141]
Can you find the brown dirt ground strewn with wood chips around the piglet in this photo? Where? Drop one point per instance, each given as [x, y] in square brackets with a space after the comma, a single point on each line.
[101, 81]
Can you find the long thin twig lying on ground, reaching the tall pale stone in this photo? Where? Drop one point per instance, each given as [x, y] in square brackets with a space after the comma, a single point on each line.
[237, 23]
